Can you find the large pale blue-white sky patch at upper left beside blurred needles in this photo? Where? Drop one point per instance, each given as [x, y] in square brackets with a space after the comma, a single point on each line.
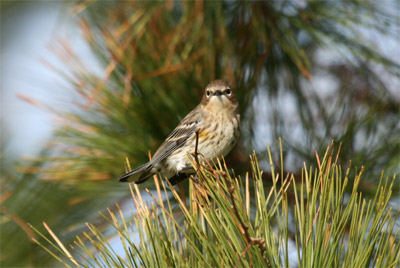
[28, 32]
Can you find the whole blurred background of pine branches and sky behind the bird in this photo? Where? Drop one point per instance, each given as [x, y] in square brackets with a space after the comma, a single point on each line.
[86, 84]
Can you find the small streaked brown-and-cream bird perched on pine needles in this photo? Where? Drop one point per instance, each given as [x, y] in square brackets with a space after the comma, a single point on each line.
[218, 123]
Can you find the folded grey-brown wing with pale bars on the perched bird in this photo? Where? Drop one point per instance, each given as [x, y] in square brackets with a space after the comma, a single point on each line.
[179, 135]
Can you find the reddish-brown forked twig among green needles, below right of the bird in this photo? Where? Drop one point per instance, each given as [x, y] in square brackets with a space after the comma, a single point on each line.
[250, 241]
